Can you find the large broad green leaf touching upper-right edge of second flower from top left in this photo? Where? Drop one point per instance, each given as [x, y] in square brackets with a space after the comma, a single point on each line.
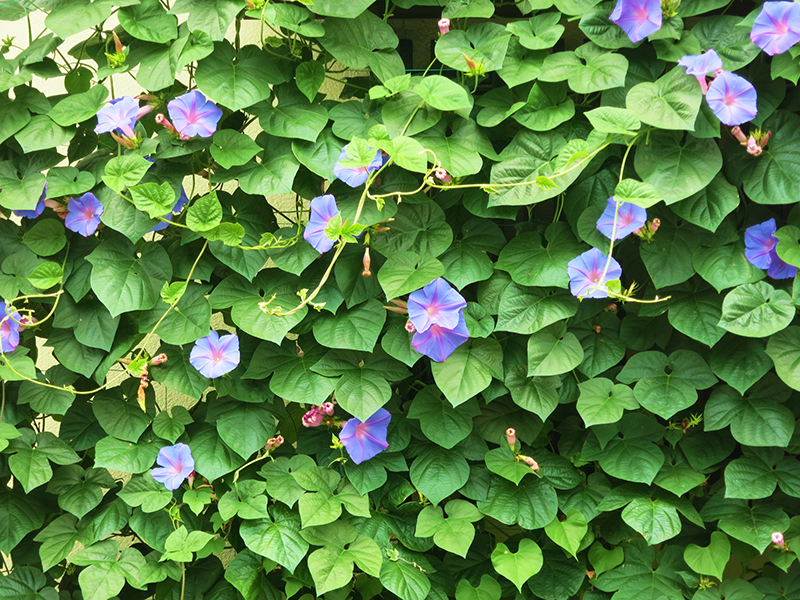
[237, 80]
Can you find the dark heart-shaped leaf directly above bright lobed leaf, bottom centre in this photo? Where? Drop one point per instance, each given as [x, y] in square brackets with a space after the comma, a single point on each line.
[437, 473]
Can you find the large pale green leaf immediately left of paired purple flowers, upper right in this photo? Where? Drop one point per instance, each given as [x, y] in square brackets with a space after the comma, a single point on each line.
[672, 102]
